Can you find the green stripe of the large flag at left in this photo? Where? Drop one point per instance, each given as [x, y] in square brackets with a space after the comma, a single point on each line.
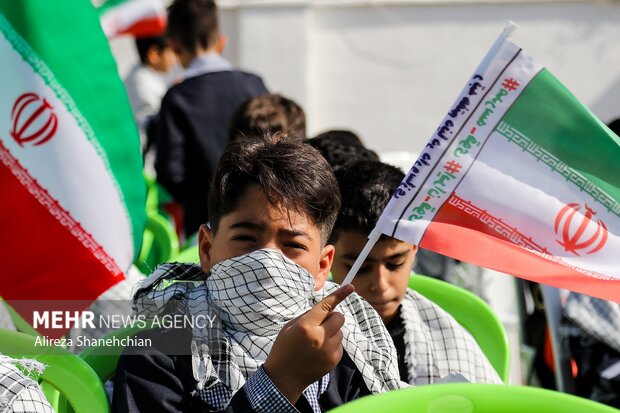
[68, 38]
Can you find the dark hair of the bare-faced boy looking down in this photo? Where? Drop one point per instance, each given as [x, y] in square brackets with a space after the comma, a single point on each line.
[366, 187]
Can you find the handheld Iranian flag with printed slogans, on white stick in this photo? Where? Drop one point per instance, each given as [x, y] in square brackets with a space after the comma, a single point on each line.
[520, 177]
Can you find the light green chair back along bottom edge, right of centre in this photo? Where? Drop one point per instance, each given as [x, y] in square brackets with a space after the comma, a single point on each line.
[473, 398]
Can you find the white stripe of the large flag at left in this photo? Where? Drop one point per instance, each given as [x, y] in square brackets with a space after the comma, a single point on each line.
[68, 165]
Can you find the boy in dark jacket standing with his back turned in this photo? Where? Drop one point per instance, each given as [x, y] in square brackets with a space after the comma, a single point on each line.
[192, 129]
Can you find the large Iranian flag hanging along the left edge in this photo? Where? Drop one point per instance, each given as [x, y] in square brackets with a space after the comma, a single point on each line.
[73, 194]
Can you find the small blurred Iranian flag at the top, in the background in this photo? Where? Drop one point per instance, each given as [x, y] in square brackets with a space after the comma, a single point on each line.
[139, 18]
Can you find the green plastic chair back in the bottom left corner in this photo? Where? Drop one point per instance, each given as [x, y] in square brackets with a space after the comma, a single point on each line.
[66, 377]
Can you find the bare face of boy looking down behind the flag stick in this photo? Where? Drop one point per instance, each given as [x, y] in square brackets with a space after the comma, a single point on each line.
[383, 278]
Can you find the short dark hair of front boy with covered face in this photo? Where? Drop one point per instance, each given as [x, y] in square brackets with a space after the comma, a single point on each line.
[289, 173]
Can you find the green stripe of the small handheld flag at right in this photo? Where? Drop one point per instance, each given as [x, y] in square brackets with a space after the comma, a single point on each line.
[549, 116]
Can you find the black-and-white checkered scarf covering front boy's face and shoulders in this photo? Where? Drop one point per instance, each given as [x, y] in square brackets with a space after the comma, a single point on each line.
[254, 295]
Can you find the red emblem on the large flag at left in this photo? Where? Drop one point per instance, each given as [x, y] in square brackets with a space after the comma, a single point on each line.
[34, 120]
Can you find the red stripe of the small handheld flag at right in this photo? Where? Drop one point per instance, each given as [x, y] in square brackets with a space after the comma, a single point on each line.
[461, 235]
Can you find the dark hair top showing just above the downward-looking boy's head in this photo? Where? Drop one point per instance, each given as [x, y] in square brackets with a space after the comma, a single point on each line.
[340, 147]
